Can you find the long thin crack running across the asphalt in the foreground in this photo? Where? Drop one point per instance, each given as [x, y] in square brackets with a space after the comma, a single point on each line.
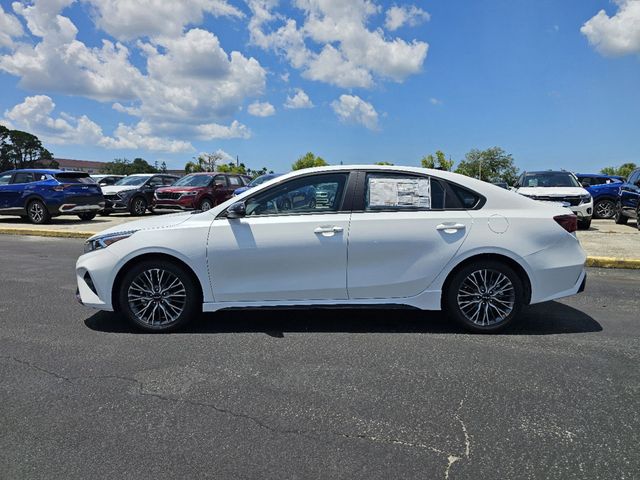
[306, 433]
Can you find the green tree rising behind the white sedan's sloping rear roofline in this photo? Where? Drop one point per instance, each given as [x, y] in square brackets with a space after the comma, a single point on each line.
[489, 165]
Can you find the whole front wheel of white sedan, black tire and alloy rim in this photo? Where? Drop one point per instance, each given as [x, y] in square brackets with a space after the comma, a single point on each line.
[159, 296]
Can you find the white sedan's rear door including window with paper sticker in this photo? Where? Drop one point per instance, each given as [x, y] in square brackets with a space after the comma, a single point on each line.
[402, 237]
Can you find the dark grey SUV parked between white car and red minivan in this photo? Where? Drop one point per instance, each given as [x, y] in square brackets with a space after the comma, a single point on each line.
[134, 193]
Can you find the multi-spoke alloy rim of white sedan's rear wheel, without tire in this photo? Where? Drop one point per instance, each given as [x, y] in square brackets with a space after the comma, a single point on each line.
[486, 297]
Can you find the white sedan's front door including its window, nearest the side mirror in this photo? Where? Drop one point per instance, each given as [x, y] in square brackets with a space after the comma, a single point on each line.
[281, 252]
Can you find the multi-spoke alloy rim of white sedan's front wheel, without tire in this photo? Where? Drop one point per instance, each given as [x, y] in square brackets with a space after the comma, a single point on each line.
[157, 297]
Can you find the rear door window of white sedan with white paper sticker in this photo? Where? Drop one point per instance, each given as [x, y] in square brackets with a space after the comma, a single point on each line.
[389, 191]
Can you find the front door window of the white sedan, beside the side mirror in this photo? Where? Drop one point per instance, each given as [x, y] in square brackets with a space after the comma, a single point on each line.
[310, 194]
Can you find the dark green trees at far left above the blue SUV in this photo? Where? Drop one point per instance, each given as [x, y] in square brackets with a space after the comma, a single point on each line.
[22, 150]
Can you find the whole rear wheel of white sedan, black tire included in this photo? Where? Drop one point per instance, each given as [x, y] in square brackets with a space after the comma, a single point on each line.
[462, 307]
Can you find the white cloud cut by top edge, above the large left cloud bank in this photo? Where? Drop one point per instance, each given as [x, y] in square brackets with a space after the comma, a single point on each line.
[128, 19]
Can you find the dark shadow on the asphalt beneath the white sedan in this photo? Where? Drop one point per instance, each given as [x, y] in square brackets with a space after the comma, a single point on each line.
[544, 319]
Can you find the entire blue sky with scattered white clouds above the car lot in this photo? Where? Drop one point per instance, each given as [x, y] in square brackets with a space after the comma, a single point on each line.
[556, 84]
